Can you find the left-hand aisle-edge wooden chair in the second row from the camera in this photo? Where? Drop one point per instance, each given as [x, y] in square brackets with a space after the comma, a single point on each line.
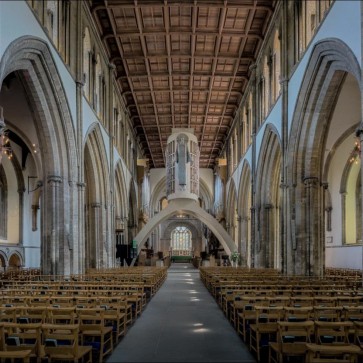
[94, 332]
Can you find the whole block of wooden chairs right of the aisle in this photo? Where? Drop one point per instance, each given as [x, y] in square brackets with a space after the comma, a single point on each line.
[300, 321]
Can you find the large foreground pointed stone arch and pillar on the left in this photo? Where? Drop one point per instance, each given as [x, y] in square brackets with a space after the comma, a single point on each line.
[57, 167]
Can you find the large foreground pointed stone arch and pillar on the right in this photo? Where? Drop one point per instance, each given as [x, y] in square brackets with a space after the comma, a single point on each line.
[330, 61]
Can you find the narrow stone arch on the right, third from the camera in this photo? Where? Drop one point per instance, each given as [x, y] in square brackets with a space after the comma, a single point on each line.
[244, 211]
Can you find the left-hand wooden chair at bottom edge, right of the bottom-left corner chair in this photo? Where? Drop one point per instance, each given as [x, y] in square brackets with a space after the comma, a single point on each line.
[61, 344]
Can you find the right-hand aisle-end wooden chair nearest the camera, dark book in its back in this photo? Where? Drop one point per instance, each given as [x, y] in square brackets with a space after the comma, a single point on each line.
[291, 340]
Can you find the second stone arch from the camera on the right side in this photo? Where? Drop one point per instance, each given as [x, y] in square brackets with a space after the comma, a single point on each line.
[268, 177]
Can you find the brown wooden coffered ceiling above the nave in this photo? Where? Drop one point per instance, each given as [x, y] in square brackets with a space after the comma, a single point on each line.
[182, 64]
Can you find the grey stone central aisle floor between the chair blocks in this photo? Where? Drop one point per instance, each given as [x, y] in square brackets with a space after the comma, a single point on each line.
[181, 323]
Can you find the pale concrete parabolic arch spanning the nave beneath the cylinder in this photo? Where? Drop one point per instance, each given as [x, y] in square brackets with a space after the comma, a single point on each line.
[191, 207]
